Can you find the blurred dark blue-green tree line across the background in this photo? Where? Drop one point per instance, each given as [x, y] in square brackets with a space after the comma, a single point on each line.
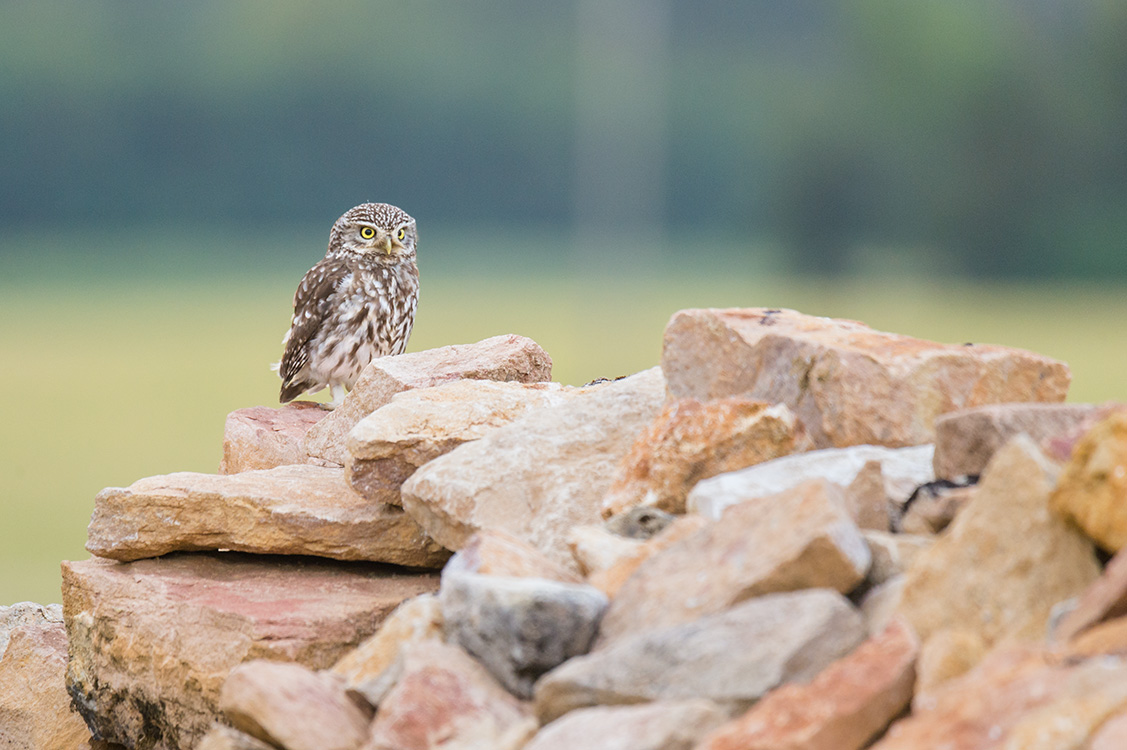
[990, 135]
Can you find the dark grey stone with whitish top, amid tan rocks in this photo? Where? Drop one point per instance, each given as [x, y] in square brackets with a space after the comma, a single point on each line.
[520, 629]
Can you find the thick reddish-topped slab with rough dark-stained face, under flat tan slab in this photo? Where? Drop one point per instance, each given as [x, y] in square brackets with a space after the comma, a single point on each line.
[152, 642]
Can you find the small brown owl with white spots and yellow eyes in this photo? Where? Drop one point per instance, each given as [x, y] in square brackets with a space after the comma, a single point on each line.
[357, 305]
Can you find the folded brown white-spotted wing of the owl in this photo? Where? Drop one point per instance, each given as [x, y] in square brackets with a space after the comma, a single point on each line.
[312, 307]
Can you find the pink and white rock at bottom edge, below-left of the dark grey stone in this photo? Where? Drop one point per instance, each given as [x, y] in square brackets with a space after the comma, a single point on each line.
[446, 700]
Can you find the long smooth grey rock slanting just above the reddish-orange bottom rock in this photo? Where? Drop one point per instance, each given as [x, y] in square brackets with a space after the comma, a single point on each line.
[733, 658]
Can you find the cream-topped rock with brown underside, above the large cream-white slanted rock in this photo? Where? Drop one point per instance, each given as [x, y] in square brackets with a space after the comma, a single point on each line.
[419, 426]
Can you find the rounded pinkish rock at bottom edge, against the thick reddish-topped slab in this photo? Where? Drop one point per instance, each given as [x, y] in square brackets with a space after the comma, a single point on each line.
[294, 708]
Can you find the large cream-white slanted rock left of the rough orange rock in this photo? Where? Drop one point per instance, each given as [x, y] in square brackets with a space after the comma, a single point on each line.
[539, 477]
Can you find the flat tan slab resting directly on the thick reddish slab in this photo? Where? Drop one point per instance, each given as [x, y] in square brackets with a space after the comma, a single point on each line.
[289, 510]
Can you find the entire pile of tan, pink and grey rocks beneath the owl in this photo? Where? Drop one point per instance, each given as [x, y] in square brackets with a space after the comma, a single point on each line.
[796, 533]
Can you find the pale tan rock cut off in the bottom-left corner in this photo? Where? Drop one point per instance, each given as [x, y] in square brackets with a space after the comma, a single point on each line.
[36, 711]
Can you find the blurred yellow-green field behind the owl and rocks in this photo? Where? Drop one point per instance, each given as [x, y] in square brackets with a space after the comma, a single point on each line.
[109, 380]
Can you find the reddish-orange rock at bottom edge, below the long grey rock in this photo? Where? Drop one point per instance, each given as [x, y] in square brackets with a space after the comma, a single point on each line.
[847, 705]
